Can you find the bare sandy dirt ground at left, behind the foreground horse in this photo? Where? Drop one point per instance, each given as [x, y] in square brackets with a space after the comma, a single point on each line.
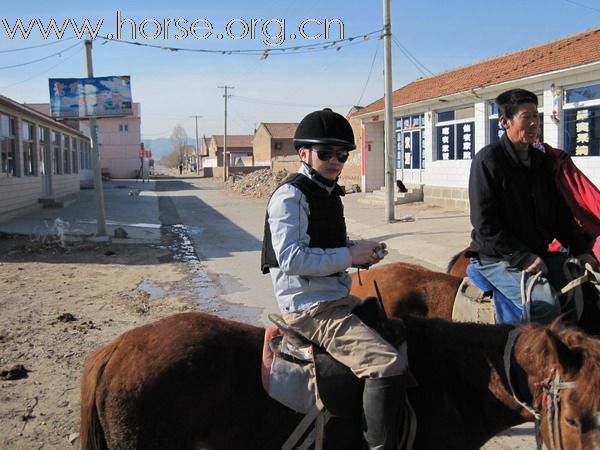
[56, 306]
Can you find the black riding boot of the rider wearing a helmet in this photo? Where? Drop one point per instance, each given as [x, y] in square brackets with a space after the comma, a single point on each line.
[381, 406]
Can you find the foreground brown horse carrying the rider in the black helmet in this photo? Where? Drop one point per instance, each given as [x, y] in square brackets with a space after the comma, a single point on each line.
[193, 380]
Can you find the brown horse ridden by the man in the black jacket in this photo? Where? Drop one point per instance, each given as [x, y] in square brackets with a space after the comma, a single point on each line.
[409, 288]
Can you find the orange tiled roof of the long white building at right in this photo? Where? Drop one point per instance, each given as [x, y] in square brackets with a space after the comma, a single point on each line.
[575, 50]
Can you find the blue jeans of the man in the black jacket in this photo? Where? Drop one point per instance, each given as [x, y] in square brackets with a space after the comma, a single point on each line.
[545, 305]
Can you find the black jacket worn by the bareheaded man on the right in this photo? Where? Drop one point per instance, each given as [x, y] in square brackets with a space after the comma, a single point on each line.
[517, 211]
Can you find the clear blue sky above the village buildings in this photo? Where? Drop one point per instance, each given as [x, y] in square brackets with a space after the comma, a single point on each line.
[174, 85]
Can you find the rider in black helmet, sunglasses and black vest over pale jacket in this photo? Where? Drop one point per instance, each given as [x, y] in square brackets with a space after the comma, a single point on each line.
[306, 250]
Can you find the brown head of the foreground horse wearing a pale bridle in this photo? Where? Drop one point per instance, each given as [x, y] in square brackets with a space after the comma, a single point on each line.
[563, 377]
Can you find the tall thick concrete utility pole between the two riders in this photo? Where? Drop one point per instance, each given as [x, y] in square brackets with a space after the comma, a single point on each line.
[390, 154]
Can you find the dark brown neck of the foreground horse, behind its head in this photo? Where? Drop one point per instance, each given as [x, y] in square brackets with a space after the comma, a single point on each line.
[465, 364]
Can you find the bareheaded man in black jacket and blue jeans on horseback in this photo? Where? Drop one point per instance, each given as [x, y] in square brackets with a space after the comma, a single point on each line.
[516, 211]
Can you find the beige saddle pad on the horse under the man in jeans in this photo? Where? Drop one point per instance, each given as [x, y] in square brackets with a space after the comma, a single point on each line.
[469, 306]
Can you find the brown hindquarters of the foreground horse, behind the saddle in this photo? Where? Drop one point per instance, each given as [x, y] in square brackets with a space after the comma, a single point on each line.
[179, 382]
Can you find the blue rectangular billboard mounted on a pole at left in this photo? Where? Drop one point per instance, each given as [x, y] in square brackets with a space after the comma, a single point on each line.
[80, 98]
